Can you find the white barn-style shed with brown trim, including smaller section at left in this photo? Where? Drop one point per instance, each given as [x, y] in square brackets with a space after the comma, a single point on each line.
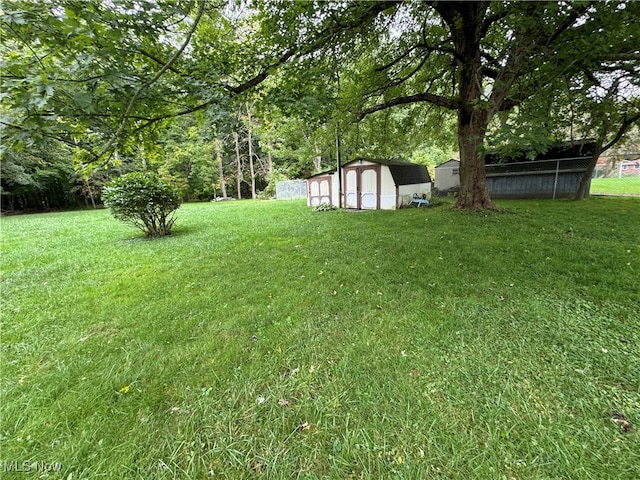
[371, 184]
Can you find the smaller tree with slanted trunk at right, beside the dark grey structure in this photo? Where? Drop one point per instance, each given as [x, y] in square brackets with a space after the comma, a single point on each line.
[593, 100]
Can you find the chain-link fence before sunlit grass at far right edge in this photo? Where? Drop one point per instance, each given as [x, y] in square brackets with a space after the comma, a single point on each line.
[619, 175]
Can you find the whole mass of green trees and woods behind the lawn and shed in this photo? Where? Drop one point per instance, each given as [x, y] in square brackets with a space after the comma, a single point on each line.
[223, 97]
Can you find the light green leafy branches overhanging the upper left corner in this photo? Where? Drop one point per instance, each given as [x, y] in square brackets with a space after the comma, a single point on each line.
[99, 75]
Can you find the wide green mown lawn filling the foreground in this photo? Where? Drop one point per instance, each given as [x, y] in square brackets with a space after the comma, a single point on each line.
[265, 340]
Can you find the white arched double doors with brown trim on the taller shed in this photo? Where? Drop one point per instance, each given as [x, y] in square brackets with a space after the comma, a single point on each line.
[362, 187]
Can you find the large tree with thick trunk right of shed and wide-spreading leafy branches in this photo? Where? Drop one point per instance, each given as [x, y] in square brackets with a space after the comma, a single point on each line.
[97, 74]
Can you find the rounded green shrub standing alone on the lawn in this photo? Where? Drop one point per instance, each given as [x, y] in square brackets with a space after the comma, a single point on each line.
[144, 201]
